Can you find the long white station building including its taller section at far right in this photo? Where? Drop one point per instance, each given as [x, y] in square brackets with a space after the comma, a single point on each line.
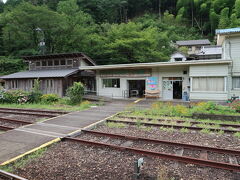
[203, 79]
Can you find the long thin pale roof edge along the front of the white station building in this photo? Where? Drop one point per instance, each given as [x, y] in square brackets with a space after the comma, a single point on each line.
[157, 64]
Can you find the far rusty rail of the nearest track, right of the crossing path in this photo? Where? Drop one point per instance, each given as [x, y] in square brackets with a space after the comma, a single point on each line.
[189, 146]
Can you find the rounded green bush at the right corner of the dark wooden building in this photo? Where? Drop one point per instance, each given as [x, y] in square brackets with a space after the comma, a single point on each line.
[75, 93]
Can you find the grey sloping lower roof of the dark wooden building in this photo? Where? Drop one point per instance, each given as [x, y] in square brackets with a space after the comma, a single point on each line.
[50, 73]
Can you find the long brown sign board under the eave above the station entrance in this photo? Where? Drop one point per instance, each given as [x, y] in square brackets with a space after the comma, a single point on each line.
[126, 73]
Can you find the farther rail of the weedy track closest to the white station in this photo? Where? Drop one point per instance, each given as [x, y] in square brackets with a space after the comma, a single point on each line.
[181, 121]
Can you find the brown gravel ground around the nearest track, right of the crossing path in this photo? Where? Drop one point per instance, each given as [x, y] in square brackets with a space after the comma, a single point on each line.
[71, 160]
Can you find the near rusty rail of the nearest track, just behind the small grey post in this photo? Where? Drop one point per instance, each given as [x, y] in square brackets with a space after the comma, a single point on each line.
[202, 162]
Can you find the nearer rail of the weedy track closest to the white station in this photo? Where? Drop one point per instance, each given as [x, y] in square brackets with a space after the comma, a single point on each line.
[171, 126]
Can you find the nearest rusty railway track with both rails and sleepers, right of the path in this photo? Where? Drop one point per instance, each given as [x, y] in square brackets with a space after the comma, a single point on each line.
[129, 143]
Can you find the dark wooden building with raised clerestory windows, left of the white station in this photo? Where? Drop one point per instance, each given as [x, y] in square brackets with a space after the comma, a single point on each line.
[56, 73]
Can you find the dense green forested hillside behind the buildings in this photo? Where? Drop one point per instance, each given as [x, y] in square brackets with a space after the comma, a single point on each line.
[110, 31]
